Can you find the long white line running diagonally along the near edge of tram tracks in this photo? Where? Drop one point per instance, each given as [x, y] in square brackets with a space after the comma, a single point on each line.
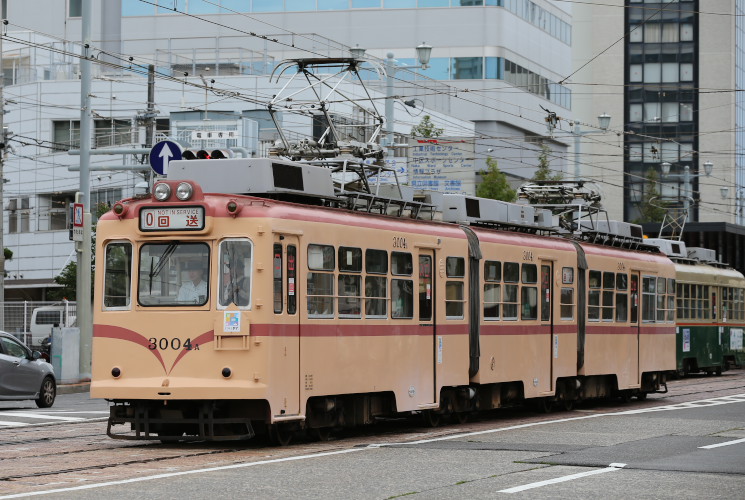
[339, 452]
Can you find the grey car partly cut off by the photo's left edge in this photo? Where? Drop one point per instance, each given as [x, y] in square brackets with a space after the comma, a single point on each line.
[23, 374]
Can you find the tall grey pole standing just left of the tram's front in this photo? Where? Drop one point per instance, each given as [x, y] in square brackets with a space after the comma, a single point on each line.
[83, 283]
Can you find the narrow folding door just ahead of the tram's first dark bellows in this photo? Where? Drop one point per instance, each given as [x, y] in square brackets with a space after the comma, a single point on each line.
[429, 360]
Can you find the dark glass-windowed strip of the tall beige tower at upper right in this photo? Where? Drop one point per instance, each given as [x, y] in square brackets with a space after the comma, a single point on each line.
[661, 102]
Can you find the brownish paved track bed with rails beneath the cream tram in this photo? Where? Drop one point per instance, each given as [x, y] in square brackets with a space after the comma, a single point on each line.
[30, 456]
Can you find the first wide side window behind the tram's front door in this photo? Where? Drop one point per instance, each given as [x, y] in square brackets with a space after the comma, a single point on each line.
[321, 284]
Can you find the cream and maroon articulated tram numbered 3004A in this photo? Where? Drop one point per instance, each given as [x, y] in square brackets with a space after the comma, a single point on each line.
[219, 314]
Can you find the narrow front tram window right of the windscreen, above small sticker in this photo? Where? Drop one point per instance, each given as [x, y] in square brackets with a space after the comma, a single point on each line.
[235, 272]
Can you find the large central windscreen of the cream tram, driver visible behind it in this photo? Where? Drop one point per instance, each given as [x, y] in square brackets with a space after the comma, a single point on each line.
[174, 274]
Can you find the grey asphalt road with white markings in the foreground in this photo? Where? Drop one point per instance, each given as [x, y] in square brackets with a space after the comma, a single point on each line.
[688, 444]
